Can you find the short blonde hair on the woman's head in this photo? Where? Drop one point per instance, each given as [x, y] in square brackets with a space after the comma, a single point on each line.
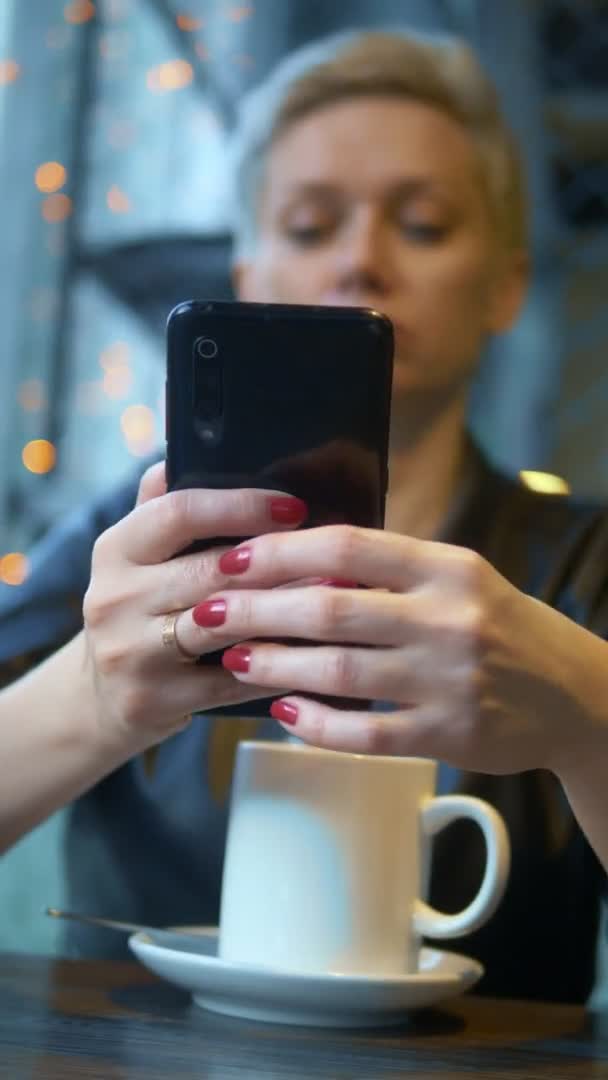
[438, 71]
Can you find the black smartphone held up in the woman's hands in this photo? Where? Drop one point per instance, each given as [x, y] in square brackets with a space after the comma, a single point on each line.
[282, 397]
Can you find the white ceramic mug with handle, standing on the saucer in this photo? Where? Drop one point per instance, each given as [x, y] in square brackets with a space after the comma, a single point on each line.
[329, 856]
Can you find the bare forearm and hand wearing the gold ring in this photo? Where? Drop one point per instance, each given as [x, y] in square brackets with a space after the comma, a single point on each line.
[115, 690]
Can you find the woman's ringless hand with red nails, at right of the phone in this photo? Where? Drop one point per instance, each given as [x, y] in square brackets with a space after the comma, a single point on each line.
[482, 676]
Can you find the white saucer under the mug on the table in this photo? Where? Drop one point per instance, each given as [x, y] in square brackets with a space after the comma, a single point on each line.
[316, 1001]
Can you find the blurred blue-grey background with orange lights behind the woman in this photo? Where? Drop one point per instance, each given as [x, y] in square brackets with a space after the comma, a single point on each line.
[114, 117]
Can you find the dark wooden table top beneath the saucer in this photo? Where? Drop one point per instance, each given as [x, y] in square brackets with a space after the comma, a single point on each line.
[67, 1019]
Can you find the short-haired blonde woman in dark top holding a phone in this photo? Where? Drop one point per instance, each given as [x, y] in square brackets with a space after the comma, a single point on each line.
[372, 170]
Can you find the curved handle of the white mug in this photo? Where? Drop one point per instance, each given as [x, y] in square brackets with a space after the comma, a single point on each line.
[436, 815]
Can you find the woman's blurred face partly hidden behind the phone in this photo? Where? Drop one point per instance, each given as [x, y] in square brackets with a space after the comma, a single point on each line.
[379, 202]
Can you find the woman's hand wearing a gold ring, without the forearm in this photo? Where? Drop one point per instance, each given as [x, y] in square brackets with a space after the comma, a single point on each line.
[144, 690]
